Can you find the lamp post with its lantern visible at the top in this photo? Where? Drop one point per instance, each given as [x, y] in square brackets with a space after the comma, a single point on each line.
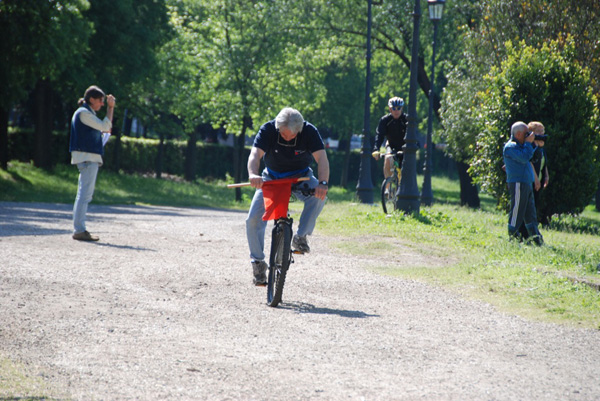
[436, 7]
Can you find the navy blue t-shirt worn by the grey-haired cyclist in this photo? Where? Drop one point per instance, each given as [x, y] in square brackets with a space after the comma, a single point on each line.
[283, 158]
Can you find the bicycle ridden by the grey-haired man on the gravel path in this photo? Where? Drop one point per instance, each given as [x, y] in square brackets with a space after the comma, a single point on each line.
[281, 255]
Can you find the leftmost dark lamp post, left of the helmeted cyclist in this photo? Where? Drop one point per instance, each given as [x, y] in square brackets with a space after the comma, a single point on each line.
[364, 188]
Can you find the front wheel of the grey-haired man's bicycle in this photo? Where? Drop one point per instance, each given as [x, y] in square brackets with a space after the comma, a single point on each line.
[279, 263]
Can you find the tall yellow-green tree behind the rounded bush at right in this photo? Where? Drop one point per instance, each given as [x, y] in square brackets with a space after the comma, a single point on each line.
[487, 25]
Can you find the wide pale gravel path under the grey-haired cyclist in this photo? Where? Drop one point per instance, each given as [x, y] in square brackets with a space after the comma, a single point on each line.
[162, 308]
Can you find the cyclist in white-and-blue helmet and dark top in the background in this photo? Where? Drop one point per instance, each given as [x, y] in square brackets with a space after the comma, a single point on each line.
[392, 127]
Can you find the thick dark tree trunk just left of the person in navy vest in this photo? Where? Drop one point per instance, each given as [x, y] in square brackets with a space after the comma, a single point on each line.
[43, 122]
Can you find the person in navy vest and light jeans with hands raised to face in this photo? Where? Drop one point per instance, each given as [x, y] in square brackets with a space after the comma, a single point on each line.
[86, 144]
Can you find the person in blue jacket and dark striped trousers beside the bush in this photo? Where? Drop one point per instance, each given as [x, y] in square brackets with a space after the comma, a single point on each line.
[520, 177]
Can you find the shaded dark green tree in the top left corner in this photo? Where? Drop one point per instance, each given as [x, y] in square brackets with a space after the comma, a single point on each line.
[40, 40]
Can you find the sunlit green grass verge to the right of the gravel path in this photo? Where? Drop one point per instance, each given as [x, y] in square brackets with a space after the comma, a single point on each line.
[538, 283]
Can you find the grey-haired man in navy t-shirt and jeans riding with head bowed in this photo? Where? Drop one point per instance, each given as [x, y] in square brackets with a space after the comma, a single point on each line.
[287, 145]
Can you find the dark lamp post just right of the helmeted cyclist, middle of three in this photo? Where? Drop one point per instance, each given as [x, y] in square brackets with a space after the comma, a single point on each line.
[408, 194]
